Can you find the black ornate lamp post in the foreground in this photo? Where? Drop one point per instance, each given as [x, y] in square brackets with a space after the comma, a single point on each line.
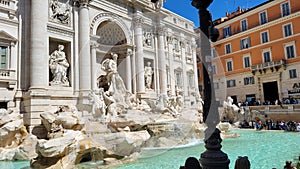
[213, 157]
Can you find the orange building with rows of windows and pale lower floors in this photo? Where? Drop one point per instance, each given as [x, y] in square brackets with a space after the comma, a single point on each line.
[257, 56]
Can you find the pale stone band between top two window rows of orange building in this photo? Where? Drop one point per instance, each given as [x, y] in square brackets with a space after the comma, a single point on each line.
[258, 28]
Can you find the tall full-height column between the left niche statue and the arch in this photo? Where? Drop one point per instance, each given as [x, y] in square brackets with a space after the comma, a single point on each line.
[84, 46]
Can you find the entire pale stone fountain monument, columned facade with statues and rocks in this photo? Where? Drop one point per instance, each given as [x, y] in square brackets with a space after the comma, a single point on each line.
[98, 81]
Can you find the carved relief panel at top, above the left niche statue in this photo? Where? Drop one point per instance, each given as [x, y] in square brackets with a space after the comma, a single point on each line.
[60, 12]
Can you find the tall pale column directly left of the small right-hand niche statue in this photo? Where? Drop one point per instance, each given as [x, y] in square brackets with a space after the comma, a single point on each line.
[139, 53]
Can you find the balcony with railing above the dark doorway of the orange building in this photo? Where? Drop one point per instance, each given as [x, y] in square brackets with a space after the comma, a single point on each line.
[274, 65]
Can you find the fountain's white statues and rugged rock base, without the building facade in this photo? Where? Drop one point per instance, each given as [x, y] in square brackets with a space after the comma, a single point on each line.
[118, 126]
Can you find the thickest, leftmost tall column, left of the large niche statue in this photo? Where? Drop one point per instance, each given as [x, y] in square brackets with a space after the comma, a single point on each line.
[38, 46]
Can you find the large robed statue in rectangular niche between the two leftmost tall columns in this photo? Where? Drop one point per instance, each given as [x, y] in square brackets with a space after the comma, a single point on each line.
[59, 65]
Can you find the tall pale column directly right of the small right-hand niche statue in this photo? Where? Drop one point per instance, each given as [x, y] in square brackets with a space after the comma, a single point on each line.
[162, 61]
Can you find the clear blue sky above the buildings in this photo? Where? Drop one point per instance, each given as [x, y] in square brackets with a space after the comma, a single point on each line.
[218, 8]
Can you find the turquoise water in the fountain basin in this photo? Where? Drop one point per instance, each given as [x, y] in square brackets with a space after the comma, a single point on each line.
[265, 150]
